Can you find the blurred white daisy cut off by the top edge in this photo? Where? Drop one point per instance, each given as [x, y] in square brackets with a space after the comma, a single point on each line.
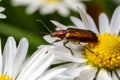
[49, 6]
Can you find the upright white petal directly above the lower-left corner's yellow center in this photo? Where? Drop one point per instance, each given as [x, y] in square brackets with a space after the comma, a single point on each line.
[9, 54]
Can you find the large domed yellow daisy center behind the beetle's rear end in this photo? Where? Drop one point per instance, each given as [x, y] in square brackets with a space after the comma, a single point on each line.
[106, 53]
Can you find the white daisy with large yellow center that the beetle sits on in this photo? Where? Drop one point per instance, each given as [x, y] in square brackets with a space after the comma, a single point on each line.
[103, 63]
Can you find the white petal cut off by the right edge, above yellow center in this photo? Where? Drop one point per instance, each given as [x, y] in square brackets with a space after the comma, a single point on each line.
[115, 21]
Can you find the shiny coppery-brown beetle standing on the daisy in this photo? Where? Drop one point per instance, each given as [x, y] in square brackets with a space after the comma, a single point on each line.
[75, 35]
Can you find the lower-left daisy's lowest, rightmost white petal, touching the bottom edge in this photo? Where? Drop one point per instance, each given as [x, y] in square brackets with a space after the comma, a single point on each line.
[52, 74]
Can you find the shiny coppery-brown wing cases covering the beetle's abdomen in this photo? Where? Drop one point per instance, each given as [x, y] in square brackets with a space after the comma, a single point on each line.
[80, 35]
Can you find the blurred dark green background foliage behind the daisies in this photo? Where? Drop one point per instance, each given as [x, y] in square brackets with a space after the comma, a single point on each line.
[19, 24]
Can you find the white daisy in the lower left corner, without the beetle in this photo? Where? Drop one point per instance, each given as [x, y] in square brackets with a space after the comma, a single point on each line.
[14, 66]
